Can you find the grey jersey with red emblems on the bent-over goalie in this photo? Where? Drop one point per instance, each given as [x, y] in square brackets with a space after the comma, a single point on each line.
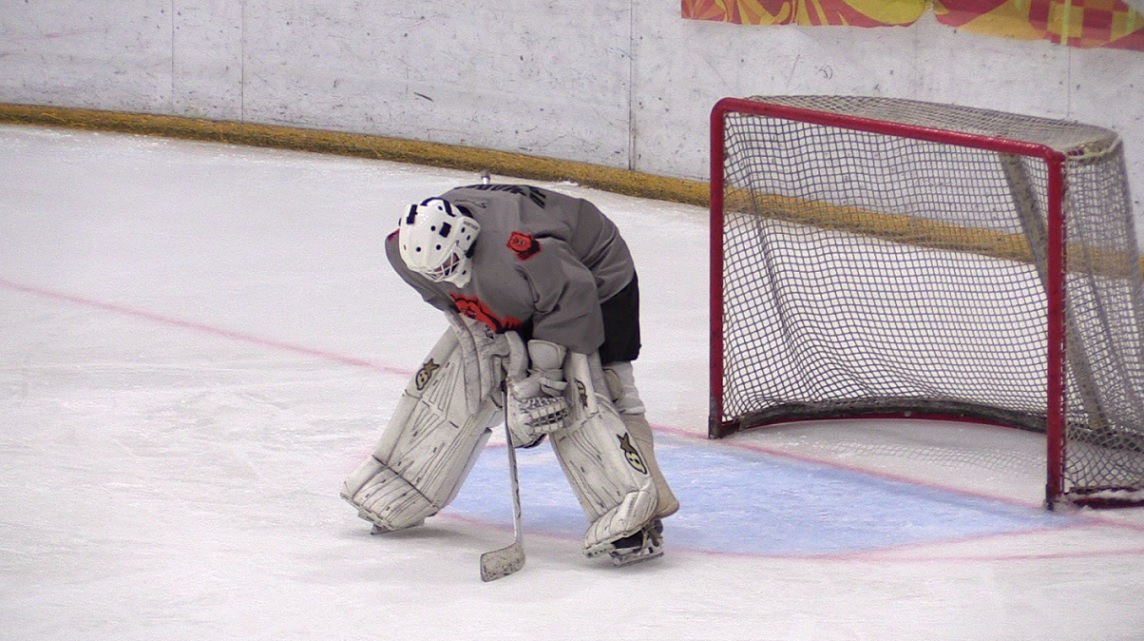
[542, 258]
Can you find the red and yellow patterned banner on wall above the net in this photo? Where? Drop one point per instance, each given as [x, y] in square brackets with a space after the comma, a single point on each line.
[1076, 23]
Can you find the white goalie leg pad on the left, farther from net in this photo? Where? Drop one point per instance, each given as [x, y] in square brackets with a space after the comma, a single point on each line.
[435, 434]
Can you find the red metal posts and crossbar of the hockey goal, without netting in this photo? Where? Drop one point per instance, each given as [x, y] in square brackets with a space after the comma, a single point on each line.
[1055, 162]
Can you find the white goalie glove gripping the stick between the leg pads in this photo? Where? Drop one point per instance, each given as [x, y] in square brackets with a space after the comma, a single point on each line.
[537, 406]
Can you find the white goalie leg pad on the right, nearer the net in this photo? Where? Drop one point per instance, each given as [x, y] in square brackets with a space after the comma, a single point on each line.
[601, 461]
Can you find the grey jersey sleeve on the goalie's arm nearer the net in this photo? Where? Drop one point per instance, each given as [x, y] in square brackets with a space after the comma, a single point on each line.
[565, 297]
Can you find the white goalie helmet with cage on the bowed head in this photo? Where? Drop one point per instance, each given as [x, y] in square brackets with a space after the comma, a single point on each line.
[435, 241]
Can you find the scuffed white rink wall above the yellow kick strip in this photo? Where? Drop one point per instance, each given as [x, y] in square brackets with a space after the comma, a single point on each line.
[617, 83]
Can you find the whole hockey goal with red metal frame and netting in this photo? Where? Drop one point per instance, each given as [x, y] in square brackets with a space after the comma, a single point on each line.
[889, 258]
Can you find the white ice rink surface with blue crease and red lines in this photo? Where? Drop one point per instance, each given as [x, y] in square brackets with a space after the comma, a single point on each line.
[198, 343]
